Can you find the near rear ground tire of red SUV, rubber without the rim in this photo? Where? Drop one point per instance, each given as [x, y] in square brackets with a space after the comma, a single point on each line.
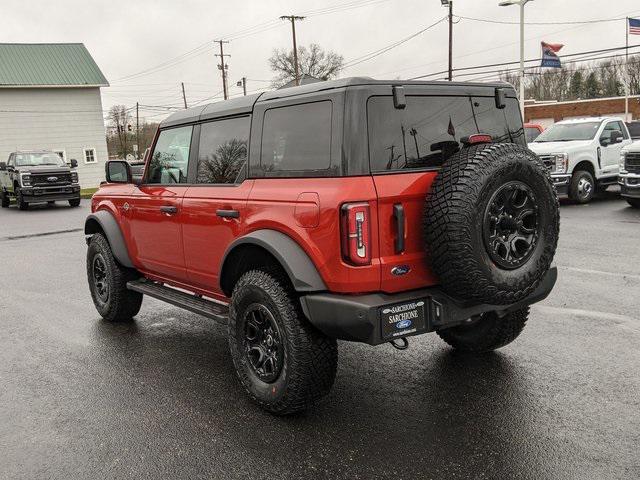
[310, 357]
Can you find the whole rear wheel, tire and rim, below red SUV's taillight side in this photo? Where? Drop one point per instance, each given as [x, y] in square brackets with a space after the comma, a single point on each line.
[282, 361]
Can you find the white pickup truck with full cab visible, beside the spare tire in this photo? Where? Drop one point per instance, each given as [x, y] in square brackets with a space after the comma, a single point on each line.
[583, 154]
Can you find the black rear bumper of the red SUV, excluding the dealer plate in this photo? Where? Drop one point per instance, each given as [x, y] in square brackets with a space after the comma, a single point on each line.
[358, 318]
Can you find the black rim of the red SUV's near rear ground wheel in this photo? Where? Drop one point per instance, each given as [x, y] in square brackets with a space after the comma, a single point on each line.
[263, 343]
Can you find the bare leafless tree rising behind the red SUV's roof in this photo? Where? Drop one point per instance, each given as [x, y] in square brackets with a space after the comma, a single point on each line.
[312, 61]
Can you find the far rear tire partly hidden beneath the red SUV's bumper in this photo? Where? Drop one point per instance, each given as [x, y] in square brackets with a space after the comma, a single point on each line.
[487, 333]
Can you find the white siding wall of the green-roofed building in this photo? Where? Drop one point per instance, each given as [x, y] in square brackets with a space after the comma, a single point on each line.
[69, 119]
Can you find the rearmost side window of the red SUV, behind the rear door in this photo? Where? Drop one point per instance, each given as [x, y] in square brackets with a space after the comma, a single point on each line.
[297, 140]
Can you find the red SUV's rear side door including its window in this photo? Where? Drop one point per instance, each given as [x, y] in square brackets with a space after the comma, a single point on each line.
[214, 207]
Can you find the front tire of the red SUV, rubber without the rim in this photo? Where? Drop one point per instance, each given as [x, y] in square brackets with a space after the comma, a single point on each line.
[122, 304]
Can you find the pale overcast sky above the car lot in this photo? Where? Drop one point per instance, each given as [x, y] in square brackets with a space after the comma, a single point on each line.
[133, 36]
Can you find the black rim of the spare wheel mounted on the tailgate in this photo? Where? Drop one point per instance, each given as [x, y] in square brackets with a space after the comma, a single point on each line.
[511, 225]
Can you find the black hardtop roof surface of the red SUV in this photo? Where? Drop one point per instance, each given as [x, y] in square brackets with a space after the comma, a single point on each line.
[240, 105]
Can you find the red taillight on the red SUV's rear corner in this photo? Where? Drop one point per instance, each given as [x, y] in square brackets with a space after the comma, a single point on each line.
[356, 233]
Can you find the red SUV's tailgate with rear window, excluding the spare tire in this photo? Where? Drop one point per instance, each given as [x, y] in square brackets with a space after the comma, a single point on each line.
[407, 146]
